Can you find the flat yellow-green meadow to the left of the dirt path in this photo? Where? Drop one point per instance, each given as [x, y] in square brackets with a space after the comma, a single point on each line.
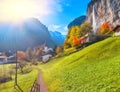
[25, 81]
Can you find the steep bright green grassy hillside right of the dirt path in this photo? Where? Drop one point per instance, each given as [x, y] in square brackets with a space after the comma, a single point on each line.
[95, 68]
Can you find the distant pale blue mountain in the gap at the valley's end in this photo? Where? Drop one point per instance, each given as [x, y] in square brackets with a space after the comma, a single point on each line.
[57, 37]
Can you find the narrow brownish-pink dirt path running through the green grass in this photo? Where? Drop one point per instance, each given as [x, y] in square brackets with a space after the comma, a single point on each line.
[43, 87]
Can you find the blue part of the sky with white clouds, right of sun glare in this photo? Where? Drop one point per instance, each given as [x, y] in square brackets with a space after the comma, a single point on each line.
[71, 9]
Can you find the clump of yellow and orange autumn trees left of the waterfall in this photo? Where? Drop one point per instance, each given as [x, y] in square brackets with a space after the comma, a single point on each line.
[75, 33]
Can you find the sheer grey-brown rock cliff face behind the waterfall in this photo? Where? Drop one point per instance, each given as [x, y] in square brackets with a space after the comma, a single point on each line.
[104, 10]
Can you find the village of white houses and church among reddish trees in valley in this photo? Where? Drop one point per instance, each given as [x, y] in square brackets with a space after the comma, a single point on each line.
[40, 53]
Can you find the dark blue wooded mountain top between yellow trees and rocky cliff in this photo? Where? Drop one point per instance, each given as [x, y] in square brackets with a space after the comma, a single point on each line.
[77, 22]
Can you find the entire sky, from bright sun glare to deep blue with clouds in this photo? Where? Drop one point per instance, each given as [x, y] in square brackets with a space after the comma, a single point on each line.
[55, 14]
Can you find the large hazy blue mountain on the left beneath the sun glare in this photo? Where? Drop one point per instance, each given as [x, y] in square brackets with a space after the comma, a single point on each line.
[28, 33]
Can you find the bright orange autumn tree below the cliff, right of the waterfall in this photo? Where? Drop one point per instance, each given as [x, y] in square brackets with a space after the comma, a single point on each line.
[105, 28]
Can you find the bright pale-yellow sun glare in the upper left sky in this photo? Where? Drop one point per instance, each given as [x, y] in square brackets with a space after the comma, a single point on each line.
[15, 10]
